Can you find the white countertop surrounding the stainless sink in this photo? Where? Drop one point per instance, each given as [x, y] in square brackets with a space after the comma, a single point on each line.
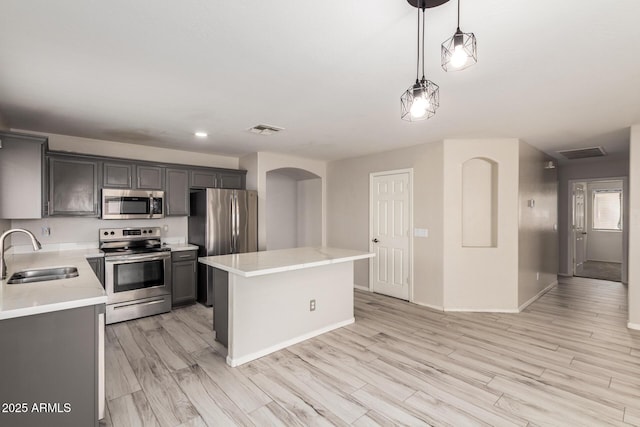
[42, 297]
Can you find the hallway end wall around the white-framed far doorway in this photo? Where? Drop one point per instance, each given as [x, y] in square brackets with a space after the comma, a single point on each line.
[587, 169]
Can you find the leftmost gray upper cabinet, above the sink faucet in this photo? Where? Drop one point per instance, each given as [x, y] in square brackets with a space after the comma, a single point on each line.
[21, 166]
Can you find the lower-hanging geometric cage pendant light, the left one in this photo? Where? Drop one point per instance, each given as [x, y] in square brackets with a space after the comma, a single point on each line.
[421, 100]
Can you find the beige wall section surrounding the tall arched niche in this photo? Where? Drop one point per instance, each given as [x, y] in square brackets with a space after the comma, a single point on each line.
[481, 279]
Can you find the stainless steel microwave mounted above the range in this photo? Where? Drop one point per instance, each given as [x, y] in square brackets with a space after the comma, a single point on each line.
[132, 204]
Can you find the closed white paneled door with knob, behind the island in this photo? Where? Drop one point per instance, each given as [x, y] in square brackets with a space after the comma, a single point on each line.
[390, 212]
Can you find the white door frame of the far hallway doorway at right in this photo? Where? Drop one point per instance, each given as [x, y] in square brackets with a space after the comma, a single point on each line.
[625, 221]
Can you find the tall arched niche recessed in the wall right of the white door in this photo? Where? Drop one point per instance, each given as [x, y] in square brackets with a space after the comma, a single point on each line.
[480, 203]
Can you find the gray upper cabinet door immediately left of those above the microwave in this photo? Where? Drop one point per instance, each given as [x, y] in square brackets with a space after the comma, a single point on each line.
[73, 187]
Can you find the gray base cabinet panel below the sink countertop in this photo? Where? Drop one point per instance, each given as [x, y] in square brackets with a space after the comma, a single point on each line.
[49, 365]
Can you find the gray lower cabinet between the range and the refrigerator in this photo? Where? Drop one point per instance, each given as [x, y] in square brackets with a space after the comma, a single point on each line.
[183, 277]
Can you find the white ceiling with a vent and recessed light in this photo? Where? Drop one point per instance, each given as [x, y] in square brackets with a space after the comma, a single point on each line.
[557, 74]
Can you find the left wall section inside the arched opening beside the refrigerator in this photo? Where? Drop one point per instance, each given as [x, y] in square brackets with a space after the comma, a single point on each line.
[282, 210]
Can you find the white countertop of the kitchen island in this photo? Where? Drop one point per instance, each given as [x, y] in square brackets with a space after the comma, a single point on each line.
[268, 262]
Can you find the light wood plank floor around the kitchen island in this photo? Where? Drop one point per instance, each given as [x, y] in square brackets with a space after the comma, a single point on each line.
[568, 359]
